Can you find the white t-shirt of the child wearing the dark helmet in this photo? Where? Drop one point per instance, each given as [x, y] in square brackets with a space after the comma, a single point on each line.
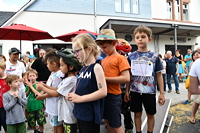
[66, 107]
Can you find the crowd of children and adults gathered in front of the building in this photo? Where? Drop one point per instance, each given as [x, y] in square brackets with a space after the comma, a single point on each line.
[80, 88]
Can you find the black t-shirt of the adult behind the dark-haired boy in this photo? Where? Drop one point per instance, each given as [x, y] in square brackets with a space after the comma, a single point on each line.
[41, 68]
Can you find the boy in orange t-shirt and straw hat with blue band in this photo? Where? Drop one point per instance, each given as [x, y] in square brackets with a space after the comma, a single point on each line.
[116, 69]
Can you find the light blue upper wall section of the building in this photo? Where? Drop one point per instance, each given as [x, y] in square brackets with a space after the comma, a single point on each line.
[103, 7]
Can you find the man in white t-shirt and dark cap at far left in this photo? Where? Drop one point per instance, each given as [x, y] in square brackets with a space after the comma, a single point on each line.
[15, 67]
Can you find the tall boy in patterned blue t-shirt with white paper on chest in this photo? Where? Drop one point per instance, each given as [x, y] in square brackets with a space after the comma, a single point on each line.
[145, 68]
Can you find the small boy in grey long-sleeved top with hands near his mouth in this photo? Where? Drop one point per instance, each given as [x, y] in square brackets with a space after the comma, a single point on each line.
[14, 102]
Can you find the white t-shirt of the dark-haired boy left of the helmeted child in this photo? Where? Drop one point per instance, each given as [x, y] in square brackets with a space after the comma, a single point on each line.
[52, 102]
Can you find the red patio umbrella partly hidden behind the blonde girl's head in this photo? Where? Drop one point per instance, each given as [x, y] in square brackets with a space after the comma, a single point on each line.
[68, 37]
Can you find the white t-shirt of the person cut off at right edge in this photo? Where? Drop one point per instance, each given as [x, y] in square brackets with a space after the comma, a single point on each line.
[194, 71]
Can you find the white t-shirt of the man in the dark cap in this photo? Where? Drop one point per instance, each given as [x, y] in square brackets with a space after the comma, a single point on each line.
[17, 69]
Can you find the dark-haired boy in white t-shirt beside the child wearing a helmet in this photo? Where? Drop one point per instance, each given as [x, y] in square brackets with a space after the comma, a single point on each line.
[53, 63]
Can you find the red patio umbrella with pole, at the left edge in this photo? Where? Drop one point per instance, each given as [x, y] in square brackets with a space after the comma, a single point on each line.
[23, 32]
